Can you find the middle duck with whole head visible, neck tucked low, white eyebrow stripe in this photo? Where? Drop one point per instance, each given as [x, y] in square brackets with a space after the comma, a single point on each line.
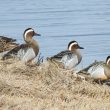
[70, 58]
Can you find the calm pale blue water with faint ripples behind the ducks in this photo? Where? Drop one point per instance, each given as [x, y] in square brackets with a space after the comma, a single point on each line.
[60, 21]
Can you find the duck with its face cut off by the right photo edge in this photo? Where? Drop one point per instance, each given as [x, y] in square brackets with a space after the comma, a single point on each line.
[99, 70]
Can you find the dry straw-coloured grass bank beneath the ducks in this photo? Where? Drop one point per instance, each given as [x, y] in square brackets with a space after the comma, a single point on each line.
[48, 88]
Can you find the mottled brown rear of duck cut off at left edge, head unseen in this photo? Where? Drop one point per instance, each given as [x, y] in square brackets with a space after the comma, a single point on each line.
[7, 44]
